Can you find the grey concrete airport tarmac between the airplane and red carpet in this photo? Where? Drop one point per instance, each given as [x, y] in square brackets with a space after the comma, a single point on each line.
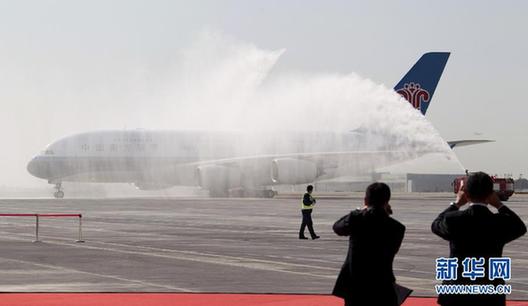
[212, 245]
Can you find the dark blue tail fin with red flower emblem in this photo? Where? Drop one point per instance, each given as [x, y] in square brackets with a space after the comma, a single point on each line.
[419, 84]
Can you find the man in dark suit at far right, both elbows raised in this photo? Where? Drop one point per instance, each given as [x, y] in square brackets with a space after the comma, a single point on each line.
[476, 232]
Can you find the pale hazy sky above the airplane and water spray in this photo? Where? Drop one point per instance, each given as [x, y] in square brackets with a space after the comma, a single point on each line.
[72, 66]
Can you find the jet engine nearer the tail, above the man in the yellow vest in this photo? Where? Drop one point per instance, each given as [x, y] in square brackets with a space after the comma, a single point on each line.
[293, 171]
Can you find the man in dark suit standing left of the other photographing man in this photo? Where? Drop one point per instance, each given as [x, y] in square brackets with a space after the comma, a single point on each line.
[366, 277]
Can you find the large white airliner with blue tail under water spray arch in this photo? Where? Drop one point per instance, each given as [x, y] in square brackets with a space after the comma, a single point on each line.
[224, 161]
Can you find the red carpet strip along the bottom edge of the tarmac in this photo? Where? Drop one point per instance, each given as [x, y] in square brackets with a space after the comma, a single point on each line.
[183, 299]
